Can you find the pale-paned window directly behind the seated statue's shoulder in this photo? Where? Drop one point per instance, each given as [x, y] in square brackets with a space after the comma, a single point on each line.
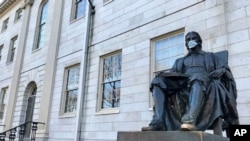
[166, 50]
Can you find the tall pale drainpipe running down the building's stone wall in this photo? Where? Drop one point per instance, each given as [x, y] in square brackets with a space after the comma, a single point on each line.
[90, 11]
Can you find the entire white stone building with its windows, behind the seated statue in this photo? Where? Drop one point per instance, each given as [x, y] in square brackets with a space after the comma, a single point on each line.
[86, 75]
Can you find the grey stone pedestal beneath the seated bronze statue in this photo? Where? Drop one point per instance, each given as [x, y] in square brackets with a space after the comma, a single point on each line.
[169, 136]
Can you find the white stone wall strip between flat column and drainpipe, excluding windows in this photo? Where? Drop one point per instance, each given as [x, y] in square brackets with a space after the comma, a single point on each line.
[62, 126]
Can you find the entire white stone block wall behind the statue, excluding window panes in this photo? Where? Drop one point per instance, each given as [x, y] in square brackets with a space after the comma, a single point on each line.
[129, 26]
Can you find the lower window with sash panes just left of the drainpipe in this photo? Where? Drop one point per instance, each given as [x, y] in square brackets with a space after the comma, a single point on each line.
[71, 89]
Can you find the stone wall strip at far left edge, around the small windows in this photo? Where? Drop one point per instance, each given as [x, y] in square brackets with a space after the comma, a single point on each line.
[7, 69]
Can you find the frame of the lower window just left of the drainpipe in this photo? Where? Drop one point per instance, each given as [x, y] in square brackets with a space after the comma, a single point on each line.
[65, 91]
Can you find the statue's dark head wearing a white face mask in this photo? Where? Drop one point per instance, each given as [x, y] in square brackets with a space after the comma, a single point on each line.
[193, 41]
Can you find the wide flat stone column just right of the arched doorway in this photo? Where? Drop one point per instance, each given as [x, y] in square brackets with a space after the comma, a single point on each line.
[53, 25]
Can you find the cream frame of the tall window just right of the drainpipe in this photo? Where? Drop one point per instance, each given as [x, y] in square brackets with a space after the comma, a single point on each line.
[100, 109]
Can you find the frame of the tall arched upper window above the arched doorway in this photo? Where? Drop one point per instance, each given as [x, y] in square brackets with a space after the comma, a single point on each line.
[41, 25]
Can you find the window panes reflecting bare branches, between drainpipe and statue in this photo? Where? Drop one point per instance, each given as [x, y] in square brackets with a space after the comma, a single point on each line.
[111, 81]
